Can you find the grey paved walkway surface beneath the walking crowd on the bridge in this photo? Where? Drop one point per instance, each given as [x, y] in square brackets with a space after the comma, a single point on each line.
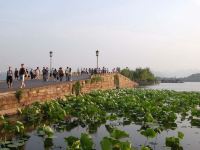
[37, 83]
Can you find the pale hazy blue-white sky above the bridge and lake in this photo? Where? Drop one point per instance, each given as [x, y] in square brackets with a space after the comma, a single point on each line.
[161, 34]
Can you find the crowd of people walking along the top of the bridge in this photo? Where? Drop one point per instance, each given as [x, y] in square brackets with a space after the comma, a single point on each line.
[45, 74]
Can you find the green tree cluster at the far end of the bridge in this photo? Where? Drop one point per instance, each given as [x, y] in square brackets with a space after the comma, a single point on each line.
[143, 76]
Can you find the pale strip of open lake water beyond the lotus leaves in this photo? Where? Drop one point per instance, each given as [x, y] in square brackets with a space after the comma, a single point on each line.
[187, 86]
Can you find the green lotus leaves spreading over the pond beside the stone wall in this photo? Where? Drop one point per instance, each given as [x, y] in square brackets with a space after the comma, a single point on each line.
[155, 112]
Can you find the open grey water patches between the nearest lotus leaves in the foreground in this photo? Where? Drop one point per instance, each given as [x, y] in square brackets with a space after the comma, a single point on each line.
[191, 140]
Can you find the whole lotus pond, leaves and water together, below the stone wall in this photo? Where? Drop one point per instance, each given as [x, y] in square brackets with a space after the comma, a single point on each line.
[124, 119]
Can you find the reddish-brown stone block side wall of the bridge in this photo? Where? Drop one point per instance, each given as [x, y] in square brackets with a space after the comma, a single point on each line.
[9, 103]
